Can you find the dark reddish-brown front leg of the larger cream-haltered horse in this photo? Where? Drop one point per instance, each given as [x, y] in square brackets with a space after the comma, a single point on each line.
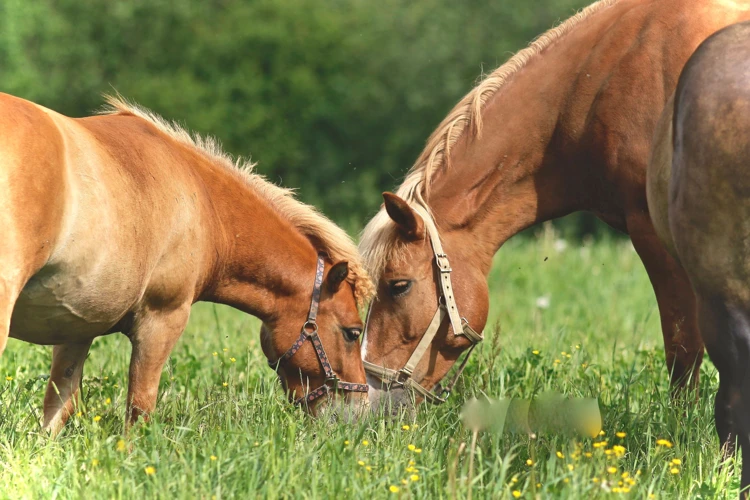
[683, 344]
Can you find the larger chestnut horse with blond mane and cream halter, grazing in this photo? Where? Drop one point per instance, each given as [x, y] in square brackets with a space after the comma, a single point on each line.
[565, 125]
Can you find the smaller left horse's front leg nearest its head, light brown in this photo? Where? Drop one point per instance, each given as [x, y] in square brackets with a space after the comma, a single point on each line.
[153, 336]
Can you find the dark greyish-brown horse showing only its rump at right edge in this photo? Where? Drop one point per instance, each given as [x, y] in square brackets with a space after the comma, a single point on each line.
[699, 194]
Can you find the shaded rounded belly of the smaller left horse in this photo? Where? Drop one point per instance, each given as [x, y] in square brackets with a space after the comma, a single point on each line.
[60, 305]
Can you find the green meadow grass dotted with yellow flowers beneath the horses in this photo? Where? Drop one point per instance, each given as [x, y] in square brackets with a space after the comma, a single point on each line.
[211, 440]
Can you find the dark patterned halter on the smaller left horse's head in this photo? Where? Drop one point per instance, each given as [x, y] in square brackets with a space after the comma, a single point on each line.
[310, 332]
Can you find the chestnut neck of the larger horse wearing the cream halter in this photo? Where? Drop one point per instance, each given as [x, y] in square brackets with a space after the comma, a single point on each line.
[526, 166]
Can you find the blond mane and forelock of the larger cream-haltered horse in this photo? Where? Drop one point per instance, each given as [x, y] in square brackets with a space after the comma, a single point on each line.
[379, 241]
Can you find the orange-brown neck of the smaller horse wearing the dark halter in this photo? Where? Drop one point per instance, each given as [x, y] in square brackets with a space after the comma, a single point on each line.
[262, 258]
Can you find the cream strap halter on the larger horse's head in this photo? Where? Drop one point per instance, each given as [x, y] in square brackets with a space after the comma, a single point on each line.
[446, 307]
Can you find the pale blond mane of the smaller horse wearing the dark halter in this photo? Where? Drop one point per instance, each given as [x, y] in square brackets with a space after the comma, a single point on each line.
[321, 231]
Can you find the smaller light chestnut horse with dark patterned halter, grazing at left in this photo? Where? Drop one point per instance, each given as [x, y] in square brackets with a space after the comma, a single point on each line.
[118, 223]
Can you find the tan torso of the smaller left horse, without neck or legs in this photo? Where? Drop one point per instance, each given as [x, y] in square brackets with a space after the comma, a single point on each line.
[124, 218]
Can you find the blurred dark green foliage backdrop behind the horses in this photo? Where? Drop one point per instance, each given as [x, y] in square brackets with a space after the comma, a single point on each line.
[334, 97]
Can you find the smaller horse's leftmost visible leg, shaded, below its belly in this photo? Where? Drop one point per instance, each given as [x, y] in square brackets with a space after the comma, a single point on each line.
[60, 400]
